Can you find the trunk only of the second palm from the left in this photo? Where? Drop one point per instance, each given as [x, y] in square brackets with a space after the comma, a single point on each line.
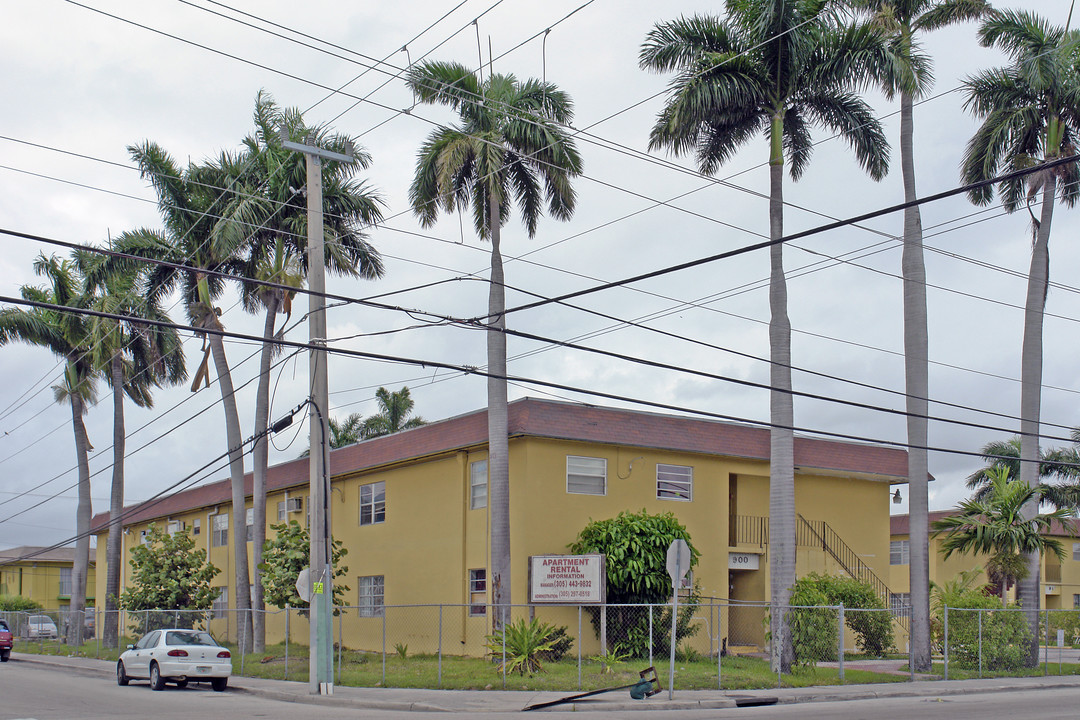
[111, 633]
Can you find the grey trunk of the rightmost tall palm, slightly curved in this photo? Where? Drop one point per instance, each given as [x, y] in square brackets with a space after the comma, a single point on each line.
[1031, 403]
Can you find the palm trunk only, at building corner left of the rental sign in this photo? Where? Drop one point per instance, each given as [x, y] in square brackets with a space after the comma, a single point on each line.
[498, 443]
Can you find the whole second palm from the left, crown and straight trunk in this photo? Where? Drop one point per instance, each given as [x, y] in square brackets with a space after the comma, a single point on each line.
[134, 358]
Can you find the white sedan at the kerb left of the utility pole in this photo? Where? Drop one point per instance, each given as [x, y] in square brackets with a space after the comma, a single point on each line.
[178, 657]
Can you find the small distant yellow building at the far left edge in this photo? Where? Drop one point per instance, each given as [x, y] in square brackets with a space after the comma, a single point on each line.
[43, 576]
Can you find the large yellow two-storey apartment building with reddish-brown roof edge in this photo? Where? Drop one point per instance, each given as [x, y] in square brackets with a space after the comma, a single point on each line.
[412, 509]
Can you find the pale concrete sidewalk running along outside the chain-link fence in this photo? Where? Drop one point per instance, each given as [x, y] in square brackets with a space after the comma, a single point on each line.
[498, 701]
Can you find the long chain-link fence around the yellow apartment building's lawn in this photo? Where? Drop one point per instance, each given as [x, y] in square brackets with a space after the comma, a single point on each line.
[428, 645]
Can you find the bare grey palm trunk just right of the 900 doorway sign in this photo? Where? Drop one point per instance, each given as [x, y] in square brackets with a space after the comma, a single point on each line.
[782, 417]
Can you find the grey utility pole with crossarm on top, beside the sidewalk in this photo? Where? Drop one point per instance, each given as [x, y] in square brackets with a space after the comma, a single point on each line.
[321, 648]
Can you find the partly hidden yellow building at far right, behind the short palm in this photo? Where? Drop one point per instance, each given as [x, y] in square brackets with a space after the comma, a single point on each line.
[1060, 580]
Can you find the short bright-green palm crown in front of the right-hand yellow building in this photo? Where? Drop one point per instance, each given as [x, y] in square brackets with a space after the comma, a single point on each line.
[1000, 526]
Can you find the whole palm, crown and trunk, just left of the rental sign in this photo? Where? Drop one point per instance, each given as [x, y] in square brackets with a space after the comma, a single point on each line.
[511, 144]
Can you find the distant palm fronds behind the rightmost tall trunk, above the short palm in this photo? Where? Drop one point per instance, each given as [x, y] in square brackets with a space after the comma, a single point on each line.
[1062, 465]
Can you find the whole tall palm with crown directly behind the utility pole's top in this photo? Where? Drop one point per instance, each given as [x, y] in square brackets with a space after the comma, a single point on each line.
[272, 221]
